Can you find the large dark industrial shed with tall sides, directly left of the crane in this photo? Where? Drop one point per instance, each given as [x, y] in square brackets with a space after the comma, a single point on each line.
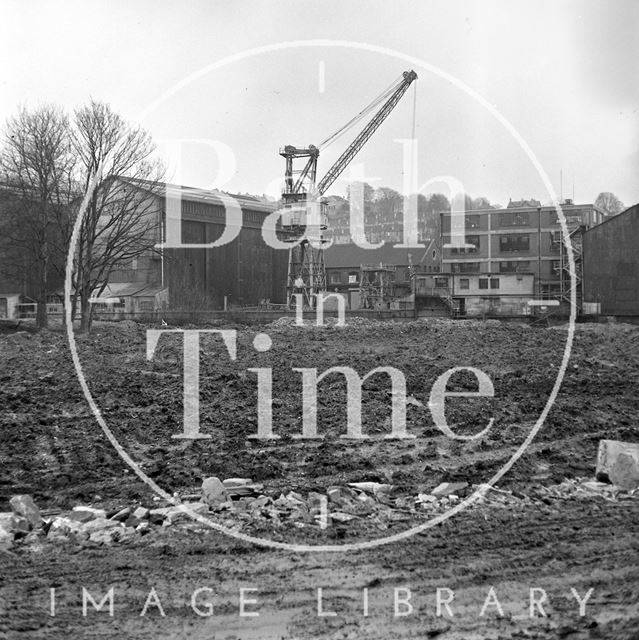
[241, 272]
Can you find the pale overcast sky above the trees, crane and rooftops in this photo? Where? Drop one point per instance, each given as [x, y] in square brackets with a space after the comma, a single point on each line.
[222, 85]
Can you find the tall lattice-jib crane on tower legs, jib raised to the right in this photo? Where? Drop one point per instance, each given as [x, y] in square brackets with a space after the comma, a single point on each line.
[302, 200]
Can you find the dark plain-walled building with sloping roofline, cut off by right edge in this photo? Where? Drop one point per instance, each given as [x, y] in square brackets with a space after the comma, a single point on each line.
[611, 265]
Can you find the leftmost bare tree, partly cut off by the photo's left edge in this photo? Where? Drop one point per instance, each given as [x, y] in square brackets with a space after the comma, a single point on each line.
[37, 164]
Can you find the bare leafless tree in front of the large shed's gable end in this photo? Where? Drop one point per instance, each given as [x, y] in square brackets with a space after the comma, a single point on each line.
[122, 218]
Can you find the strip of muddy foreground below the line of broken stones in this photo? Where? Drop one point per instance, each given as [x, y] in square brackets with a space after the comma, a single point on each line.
[512, 552]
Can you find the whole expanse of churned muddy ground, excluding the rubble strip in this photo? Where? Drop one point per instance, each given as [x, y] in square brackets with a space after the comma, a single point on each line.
[53, 448]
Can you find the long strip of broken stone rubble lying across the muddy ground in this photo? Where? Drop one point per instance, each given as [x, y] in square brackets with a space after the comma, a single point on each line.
[380, 504]
